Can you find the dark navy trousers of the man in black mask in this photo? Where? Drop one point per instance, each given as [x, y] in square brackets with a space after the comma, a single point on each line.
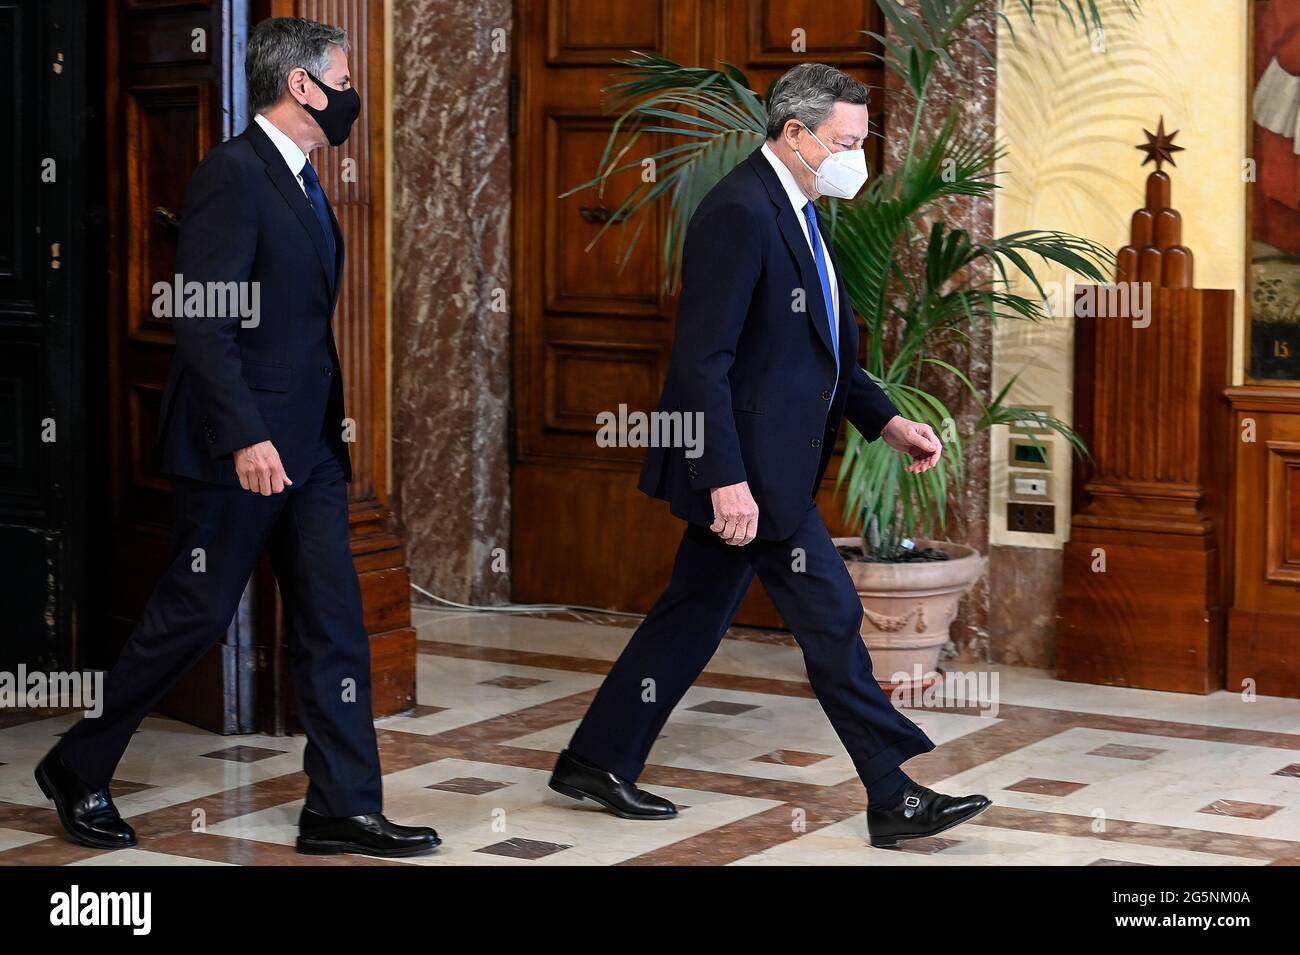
[218, 536]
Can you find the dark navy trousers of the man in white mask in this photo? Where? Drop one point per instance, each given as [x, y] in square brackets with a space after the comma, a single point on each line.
[811, 587]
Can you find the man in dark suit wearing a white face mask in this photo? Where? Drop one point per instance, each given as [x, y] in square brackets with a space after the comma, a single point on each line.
[766, 351]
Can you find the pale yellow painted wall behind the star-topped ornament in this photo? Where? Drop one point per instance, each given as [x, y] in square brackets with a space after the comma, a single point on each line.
[1071, 110]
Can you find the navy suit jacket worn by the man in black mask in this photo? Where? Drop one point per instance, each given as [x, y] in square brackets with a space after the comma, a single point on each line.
[235, 384]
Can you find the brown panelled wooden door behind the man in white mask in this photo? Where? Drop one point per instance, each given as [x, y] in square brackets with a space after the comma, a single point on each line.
[590, 337]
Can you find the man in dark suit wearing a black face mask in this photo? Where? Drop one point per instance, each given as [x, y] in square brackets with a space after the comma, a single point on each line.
[254, 436]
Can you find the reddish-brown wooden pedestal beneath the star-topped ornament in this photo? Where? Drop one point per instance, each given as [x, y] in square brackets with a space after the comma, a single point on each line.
[1155, 500]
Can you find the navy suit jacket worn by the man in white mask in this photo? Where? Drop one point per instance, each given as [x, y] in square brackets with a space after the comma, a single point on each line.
[761, 372]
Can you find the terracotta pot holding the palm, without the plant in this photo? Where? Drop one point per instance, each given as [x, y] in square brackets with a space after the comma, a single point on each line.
[908, 609]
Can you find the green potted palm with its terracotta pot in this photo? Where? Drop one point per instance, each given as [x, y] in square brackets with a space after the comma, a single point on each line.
[915, 281]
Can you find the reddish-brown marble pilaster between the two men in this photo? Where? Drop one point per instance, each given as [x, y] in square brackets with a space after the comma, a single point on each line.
[452, 215]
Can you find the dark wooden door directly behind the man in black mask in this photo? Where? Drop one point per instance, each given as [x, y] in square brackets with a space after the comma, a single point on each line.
[170, 98]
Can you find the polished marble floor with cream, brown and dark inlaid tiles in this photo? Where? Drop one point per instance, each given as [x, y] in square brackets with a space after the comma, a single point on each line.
[1080, 775]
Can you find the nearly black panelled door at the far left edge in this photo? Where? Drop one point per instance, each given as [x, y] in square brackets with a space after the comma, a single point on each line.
[49, 270]
